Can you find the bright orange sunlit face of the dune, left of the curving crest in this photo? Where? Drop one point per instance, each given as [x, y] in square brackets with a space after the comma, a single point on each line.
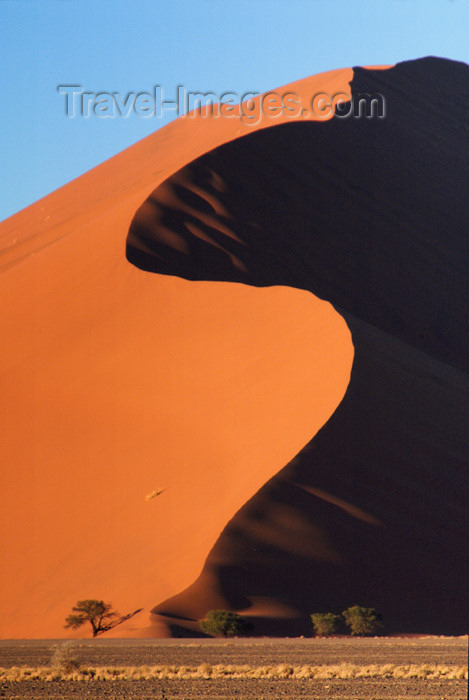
[116, 383]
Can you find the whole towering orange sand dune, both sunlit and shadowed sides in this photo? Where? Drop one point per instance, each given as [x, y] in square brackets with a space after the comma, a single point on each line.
[117, 381]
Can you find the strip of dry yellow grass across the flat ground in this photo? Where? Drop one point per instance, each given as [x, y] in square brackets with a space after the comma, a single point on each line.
[206, 671]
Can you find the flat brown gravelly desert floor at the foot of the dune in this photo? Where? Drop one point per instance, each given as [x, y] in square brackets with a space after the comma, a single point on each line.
[254, 652]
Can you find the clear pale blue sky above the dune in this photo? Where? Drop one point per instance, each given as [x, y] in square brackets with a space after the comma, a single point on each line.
[218, 45]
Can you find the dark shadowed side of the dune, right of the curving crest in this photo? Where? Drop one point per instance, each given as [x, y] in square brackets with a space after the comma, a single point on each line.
[372, 215]
